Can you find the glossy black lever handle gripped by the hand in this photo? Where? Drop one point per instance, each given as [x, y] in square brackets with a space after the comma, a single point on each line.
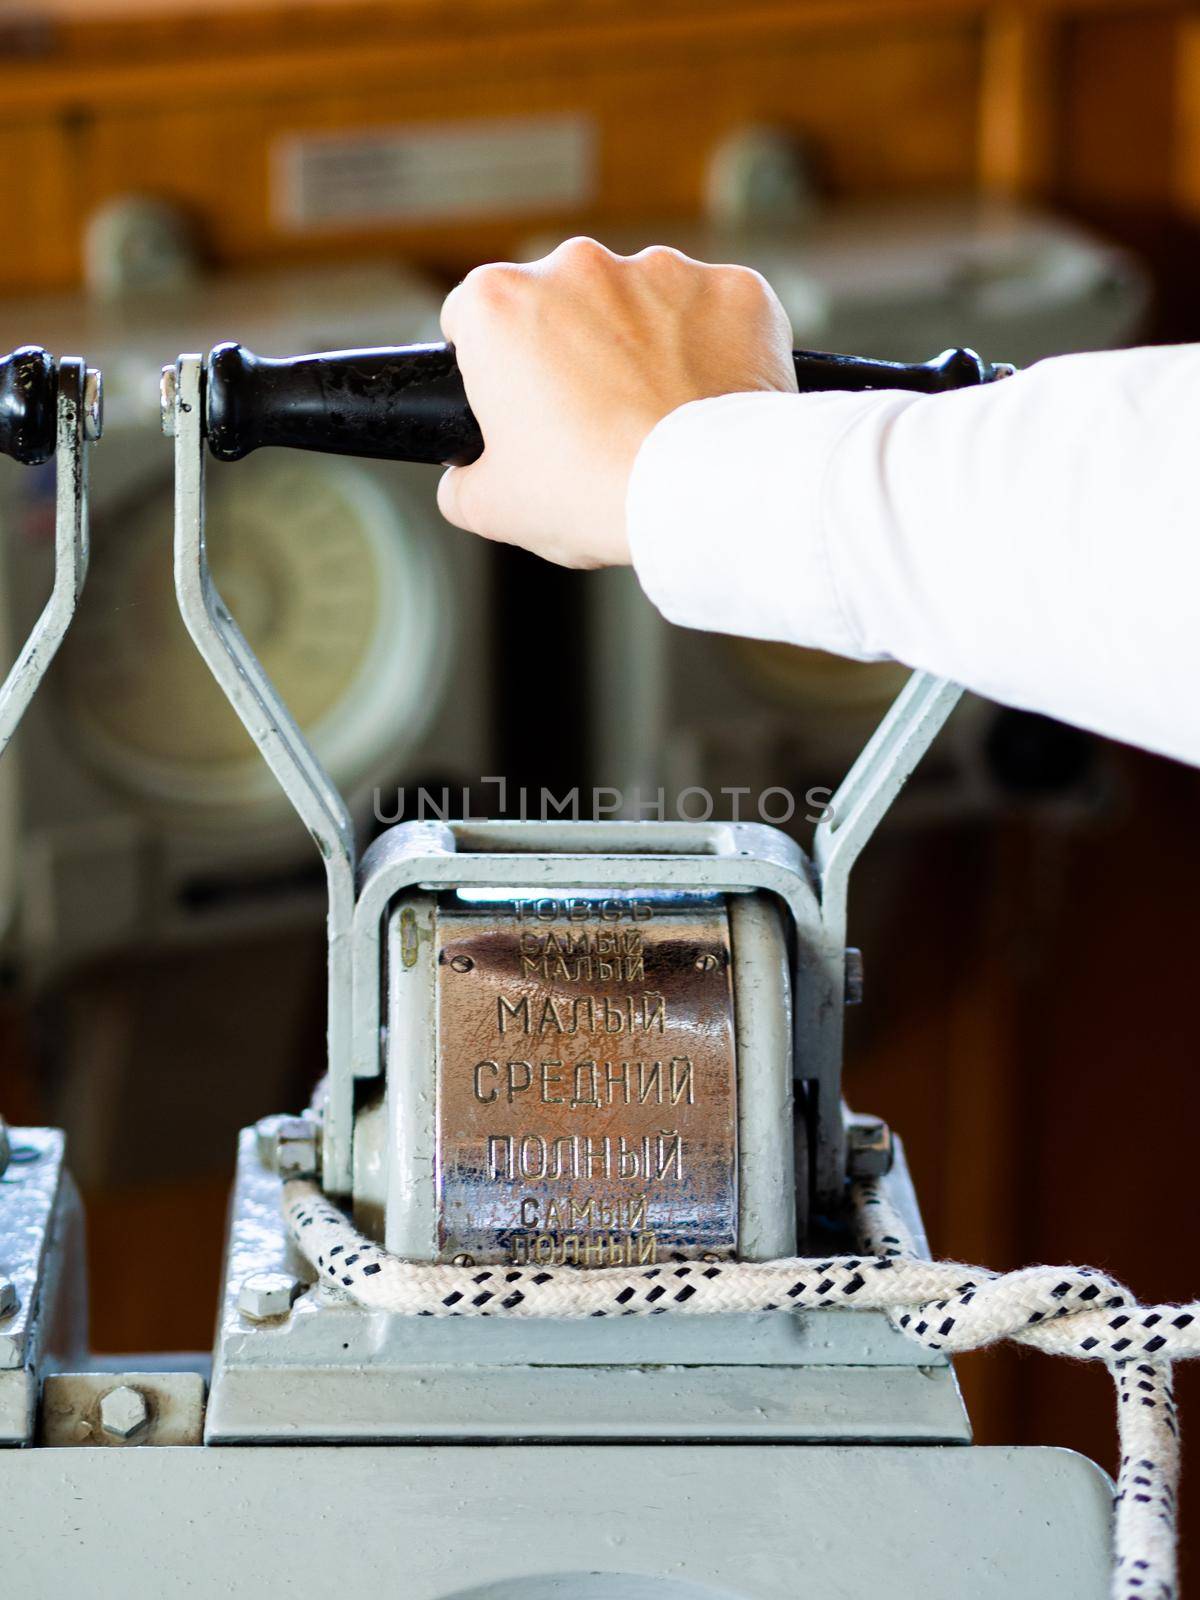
[409, 404]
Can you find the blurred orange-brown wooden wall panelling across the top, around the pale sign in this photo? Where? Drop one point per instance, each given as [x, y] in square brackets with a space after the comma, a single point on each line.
[1084, 102]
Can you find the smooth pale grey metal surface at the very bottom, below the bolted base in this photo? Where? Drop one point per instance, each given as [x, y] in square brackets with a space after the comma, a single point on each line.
[529, 1522]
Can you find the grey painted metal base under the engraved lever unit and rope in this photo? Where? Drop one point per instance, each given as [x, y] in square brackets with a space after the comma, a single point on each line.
[330, 1372]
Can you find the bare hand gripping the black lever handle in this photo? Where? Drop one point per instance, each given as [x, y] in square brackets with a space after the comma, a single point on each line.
[570, 362]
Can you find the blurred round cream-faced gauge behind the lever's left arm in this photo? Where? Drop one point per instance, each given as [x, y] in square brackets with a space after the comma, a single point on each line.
[337, 583]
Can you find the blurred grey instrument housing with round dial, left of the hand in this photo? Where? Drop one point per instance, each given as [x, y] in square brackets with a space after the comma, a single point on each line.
[138, 807]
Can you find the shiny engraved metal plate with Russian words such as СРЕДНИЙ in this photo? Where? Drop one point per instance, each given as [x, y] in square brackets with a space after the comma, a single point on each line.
[586, 1082]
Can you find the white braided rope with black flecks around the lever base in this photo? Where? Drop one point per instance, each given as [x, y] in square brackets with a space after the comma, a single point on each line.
[942, 1305]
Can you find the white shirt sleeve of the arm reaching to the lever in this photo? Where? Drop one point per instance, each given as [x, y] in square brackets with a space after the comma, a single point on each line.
[1034, 540]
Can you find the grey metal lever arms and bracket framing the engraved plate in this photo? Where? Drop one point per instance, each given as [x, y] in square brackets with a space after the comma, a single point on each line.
[601, 855]
